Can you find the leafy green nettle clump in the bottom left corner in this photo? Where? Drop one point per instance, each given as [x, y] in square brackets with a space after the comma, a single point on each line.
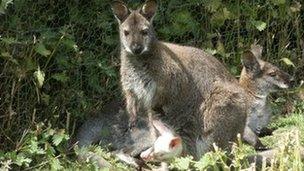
[42, 147]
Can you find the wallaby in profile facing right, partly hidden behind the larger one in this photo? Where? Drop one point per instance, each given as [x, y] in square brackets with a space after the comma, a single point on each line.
[259, 78]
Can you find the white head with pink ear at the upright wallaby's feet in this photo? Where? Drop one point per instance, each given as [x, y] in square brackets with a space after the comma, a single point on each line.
[165, 147]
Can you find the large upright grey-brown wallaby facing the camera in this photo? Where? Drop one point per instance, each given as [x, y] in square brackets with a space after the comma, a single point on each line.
[166, 78]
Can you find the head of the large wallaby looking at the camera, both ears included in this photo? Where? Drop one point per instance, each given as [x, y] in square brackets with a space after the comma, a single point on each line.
[135, 26]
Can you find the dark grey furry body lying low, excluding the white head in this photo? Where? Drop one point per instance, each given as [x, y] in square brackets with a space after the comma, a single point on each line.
[109, 127]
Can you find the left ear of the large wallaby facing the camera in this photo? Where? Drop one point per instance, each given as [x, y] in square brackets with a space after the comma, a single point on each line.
[120, 10]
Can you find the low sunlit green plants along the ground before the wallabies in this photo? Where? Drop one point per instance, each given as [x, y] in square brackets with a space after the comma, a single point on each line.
[44, 148]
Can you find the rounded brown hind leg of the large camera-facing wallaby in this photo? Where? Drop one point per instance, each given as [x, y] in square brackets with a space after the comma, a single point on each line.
[224, 117]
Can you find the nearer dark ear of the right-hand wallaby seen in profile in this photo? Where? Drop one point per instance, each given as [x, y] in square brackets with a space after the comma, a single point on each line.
[251, 63]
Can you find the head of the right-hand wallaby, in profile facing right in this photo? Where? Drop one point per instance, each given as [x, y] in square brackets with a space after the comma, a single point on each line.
[260, 75]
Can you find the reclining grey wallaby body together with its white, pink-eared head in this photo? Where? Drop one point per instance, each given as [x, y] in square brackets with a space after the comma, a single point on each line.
[110, 128]
